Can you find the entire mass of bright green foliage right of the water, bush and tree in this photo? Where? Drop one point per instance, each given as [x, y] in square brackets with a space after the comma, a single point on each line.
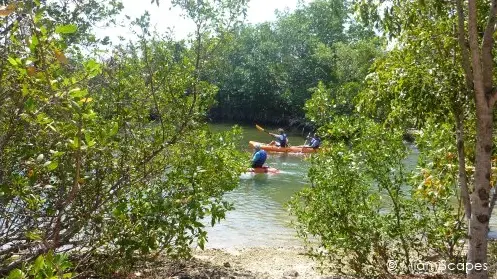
[433, 80]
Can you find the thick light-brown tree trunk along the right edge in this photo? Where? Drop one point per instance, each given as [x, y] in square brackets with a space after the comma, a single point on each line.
[484, 97]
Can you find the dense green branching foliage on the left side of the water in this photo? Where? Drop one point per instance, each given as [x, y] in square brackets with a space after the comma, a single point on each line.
[109, 160]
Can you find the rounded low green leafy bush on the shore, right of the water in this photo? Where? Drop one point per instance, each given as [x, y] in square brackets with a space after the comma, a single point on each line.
[362, 212]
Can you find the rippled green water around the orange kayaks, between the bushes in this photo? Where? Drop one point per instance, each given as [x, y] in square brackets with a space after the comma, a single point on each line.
[260, 217]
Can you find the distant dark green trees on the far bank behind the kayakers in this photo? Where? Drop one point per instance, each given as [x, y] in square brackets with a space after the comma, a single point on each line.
[267, 73]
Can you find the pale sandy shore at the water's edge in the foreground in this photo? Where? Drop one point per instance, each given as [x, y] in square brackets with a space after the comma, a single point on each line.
[248, 263]
